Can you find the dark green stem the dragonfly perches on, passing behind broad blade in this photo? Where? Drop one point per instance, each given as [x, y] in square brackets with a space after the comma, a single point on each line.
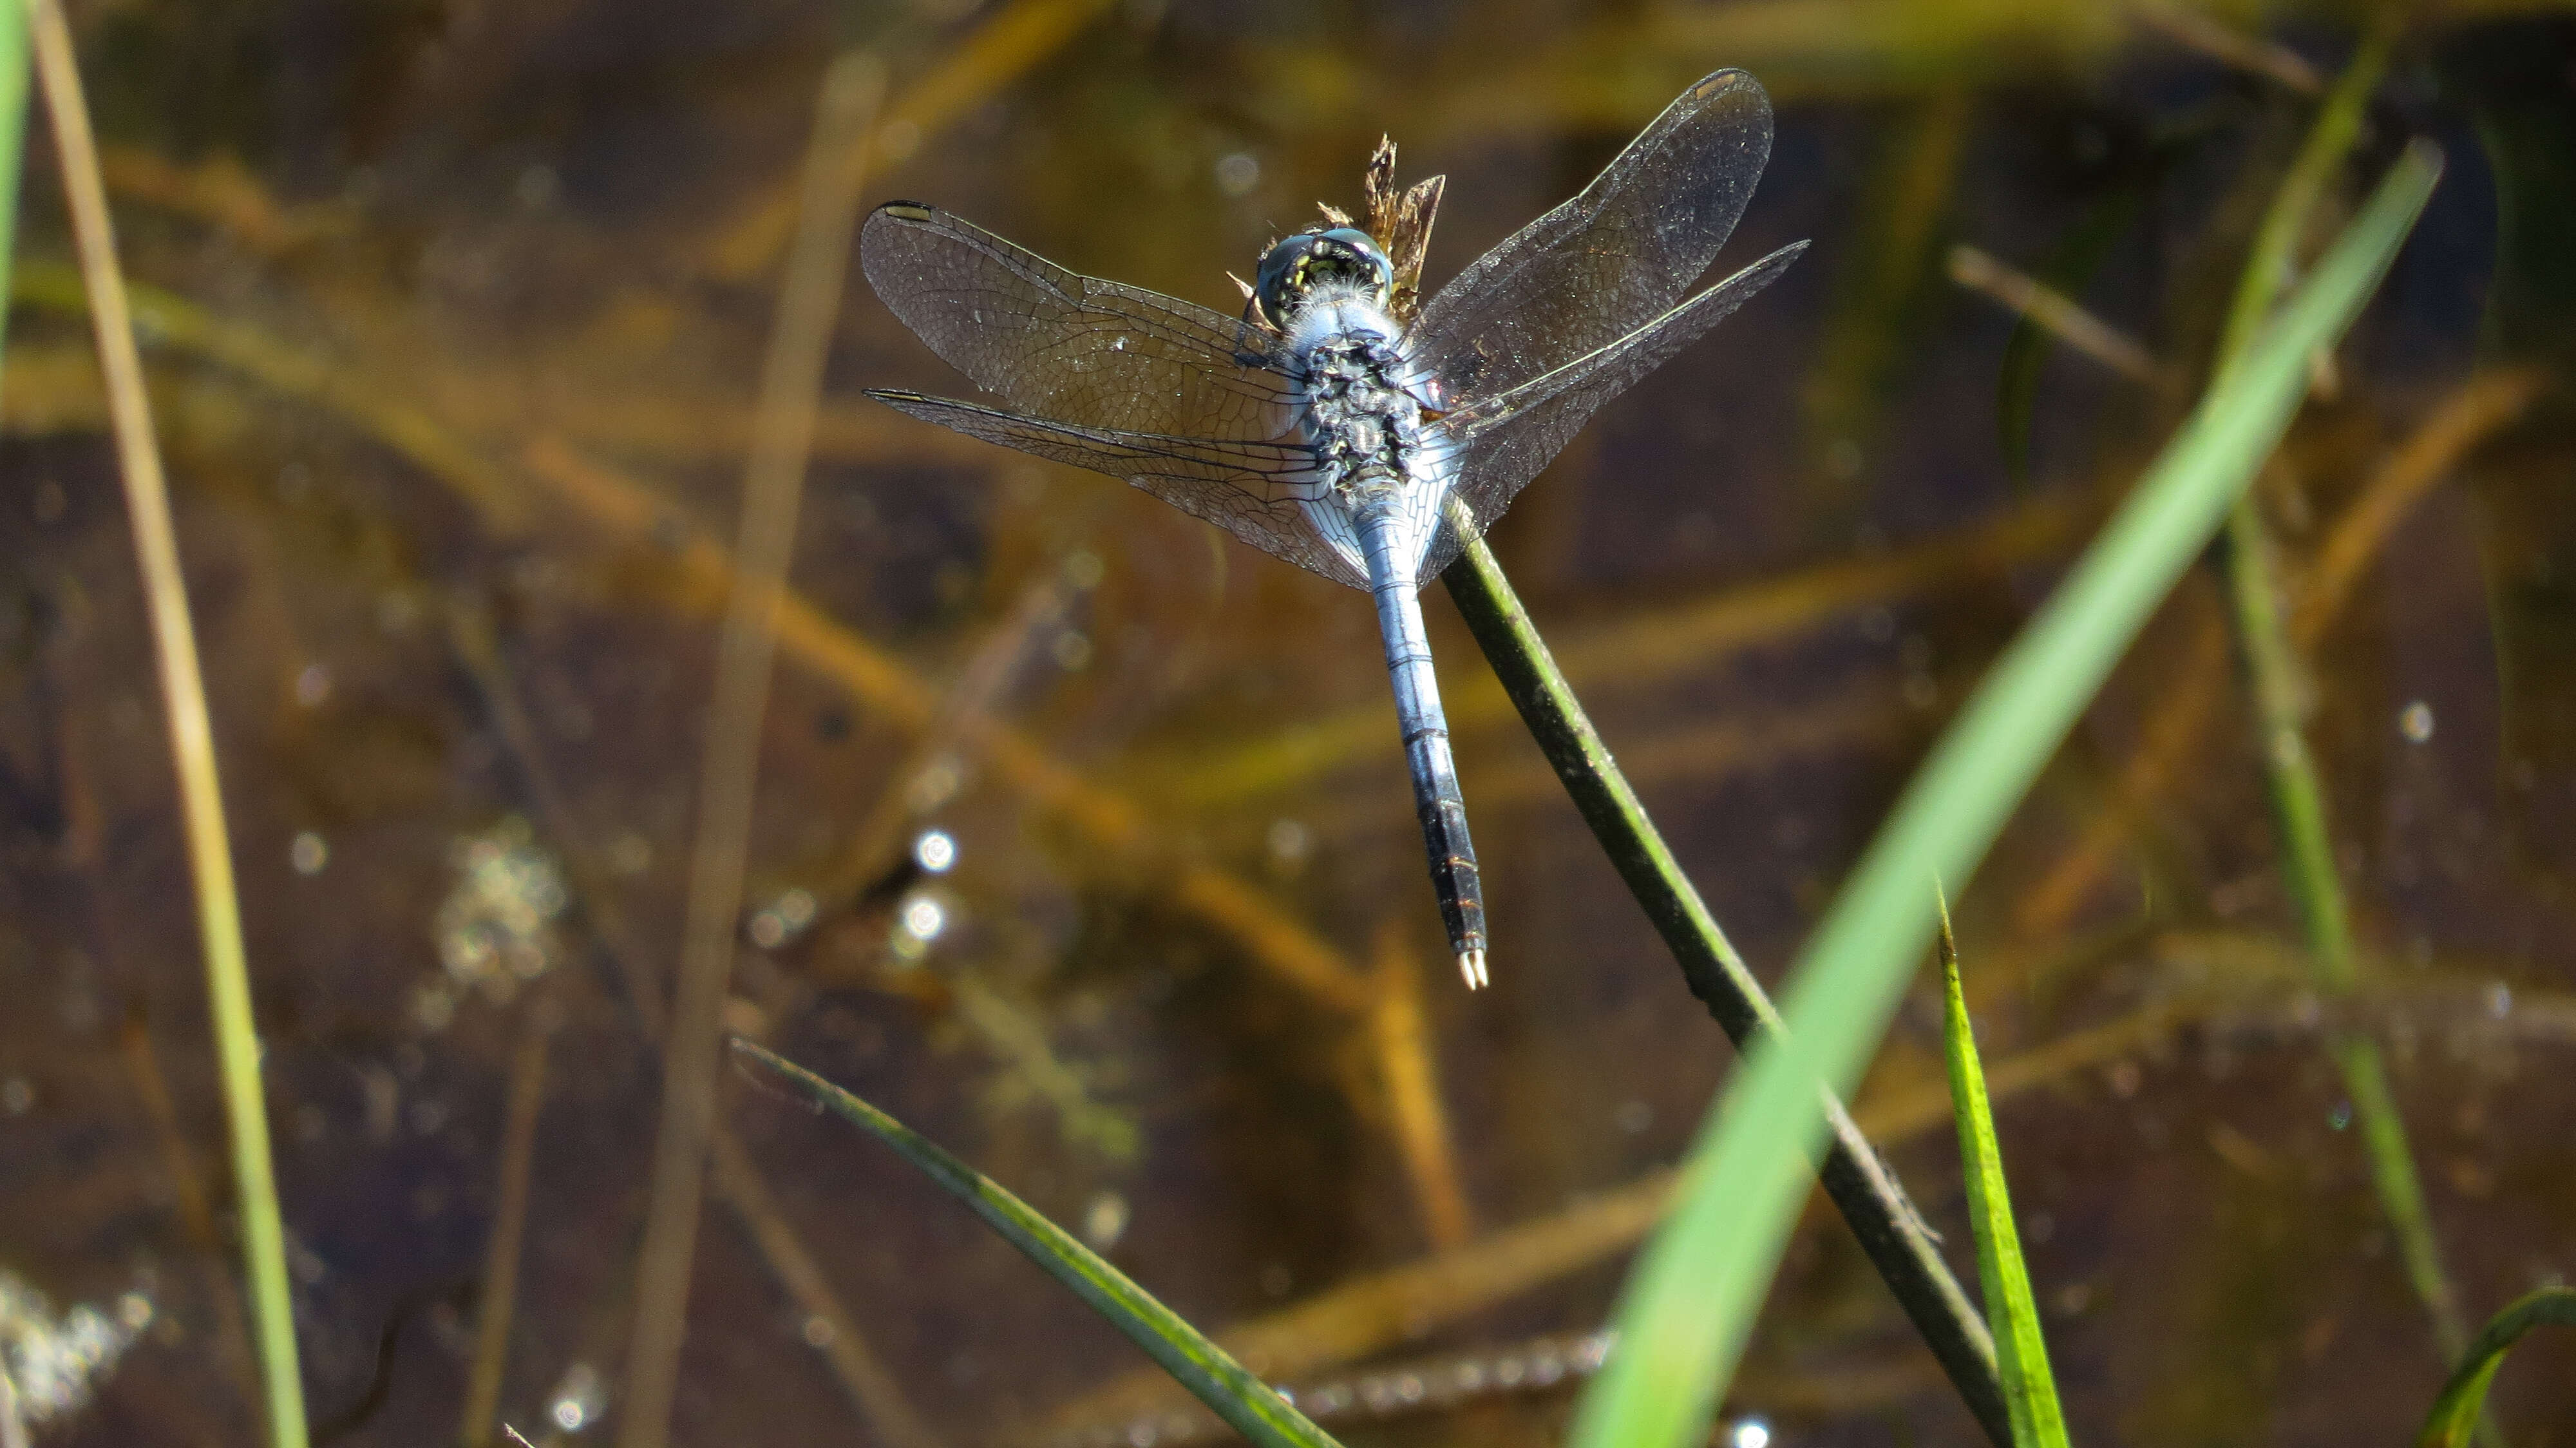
[1861, 1184]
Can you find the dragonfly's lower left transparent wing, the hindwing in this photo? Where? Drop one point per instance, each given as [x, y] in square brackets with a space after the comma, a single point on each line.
[1248, 488]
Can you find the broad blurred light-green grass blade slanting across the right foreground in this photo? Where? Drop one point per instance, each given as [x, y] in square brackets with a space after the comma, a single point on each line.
[1699, 1284]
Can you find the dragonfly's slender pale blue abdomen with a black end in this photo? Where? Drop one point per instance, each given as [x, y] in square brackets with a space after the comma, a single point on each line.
[1426, 733]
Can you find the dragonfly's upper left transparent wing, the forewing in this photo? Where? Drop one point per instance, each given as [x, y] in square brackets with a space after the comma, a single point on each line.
[1068, 347]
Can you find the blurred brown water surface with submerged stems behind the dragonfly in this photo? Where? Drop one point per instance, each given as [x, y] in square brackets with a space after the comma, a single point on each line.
[1083, 839]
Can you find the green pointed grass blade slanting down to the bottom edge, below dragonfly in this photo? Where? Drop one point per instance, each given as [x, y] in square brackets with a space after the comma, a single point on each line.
[1217, 1380]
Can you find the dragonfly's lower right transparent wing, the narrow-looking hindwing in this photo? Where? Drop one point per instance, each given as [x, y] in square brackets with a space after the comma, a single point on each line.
[1506, 439]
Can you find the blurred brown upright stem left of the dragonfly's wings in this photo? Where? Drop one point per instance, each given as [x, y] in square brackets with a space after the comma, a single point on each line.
[772, 491]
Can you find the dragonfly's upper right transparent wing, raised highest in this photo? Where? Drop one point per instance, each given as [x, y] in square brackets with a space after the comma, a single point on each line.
[1609, 262]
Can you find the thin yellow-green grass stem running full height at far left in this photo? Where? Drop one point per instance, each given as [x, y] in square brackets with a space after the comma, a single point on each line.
[192, 730]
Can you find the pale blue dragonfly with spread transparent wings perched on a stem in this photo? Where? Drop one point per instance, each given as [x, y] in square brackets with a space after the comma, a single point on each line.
[1341, 421]
